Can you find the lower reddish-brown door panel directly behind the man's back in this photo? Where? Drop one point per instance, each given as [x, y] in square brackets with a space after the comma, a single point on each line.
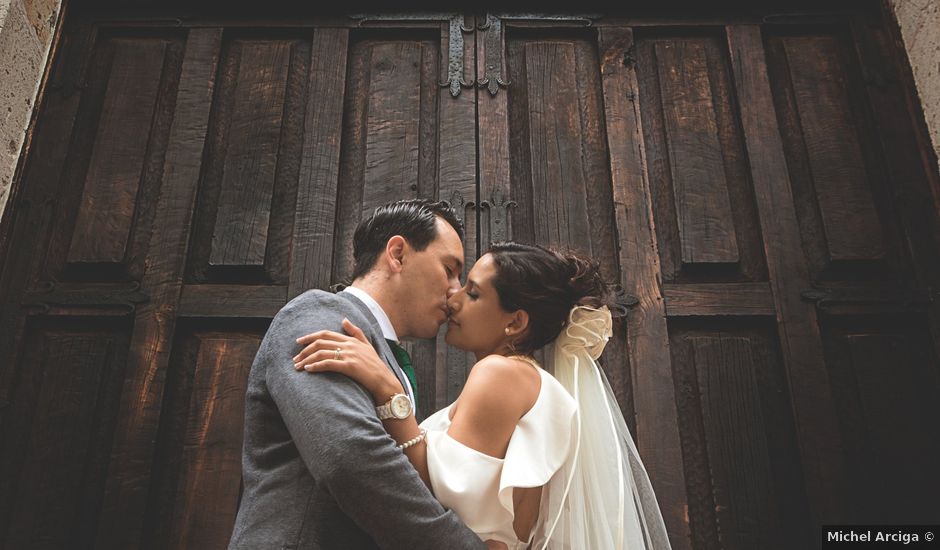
[208, 486]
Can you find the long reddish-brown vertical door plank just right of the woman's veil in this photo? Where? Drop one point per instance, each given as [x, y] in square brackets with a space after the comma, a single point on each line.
[657, 430]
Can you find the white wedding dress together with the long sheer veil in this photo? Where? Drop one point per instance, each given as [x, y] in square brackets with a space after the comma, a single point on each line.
[573, 442]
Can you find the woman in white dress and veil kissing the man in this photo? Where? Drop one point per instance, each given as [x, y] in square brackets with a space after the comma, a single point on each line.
[522, 457]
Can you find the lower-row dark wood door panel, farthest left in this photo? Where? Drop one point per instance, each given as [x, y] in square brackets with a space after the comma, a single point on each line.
[58, 428]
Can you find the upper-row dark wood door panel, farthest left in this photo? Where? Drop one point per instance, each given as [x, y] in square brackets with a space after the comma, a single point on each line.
[113, 171]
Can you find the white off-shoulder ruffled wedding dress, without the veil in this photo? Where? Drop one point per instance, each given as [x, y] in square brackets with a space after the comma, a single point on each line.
[478, 487]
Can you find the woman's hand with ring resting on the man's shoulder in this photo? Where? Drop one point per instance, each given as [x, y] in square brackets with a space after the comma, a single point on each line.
[356, 359]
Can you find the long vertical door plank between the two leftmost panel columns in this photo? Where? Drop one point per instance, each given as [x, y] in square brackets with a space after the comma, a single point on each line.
[122, 513]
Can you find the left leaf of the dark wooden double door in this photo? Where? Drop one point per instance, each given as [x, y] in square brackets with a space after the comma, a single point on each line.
[185, 182]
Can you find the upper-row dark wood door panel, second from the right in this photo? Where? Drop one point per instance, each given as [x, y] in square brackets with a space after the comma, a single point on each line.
[703, 201]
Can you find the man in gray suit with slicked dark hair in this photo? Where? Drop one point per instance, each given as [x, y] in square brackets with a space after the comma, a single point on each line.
[318, 467]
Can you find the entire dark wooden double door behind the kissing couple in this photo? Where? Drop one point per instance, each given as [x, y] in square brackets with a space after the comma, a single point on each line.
[755, 186]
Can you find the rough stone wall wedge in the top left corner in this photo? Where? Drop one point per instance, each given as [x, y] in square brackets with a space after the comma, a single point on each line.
[26, 31]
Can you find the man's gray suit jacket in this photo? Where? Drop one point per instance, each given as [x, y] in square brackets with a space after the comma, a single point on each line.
[318, 467]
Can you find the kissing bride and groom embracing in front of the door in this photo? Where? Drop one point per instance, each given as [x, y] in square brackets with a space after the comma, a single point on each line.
[334, 457]
